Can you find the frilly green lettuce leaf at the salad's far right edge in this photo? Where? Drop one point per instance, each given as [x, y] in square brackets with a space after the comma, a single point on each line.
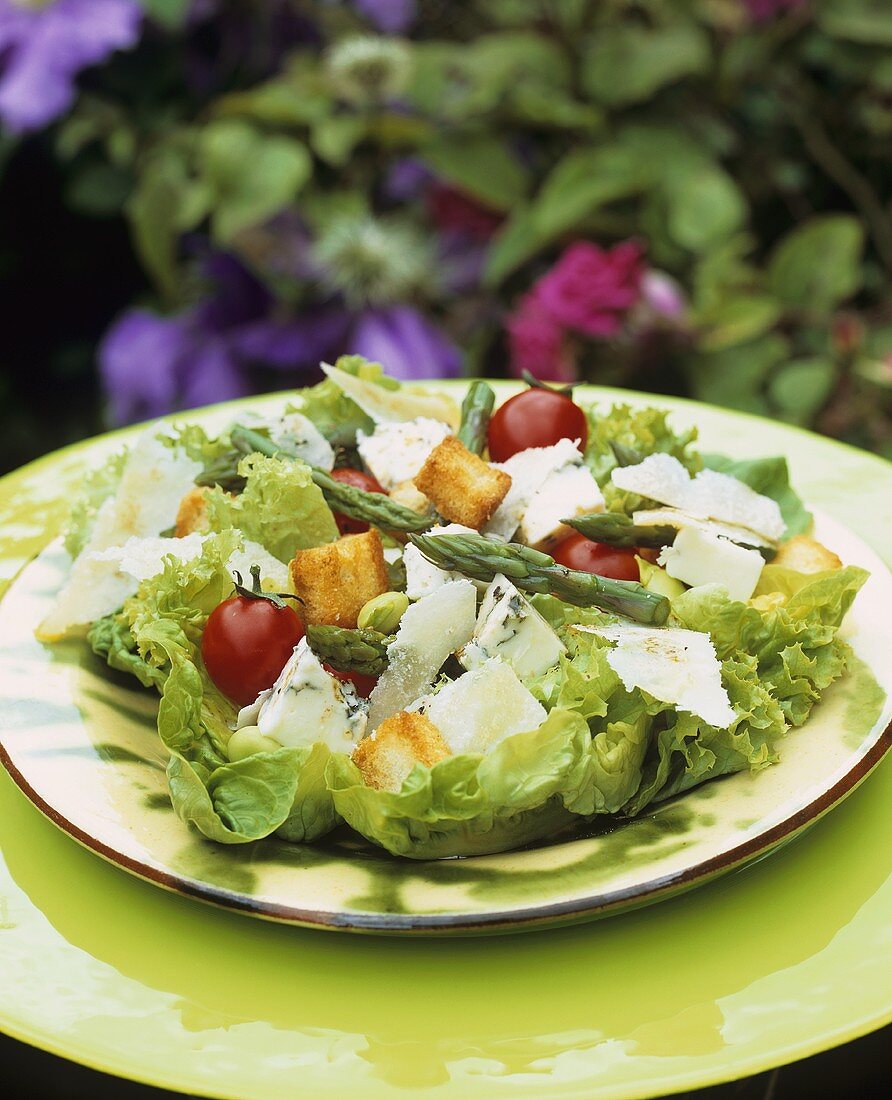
[795, 642]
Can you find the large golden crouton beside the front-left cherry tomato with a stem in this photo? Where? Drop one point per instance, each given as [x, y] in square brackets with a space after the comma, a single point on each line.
[337, 580]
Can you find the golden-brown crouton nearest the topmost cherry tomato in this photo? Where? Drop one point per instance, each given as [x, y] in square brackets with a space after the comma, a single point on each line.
[464, 488]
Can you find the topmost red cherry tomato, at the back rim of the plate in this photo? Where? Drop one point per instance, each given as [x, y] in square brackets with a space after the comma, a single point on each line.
[535, 419]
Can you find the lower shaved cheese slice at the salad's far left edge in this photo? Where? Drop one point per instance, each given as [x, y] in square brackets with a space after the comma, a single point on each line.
[102, 580]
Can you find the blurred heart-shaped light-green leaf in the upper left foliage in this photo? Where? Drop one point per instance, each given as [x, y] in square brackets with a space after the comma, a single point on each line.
[254, 175]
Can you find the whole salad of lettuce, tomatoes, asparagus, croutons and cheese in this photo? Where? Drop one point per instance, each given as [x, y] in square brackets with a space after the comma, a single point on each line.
[458, 630]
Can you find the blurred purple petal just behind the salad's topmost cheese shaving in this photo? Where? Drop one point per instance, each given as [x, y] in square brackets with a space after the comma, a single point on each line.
[405, 344]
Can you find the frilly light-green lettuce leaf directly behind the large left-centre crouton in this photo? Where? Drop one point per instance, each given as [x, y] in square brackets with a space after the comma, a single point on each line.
[282, 509]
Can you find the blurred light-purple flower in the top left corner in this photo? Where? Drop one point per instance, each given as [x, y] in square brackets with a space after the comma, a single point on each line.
[43, 48]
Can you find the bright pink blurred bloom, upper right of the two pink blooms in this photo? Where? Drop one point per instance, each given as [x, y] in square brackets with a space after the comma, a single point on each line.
[590, 290]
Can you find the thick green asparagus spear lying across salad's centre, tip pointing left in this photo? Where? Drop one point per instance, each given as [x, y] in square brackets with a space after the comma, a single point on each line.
[481, 557]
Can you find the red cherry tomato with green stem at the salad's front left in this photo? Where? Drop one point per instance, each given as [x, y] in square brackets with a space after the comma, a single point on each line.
[247, 643]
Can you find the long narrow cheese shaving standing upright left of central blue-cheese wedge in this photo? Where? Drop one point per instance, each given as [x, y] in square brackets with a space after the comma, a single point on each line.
[431, 631]
